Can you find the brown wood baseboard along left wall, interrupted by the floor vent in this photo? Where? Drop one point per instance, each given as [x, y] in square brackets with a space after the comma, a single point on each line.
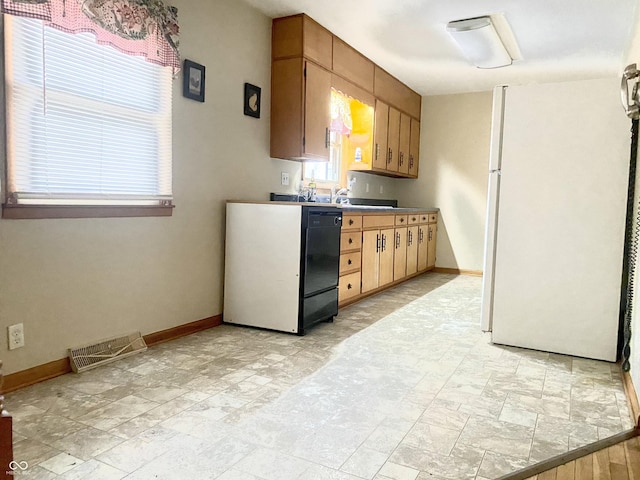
[40, 373]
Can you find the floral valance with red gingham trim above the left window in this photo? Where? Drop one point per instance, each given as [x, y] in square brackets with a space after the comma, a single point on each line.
[147, 28]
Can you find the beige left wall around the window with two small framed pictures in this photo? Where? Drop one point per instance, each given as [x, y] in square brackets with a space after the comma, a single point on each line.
[77, 281]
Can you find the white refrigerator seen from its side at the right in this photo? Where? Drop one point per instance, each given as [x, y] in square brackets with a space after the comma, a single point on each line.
[556, 213]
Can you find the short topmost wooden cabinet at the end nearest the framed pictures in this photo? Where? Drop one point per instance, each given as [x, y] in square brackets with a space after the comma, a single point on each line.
[299, 35]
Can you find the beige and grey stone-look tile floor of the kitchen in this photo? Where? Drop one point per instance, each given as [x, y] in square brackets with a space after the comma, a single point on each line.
[403, 385]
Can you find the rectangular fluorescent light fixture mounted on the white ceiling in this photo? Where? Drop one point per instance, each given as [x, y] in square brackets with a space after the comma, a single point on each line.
[480, 42]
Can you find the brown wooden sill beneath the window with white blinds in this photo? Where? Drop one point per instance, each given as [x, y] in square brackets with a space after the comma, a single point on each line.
[83, 211]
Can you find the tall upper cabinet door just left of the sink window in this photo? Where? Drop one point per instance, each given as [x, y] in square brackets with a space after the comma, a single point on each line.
[317, 112]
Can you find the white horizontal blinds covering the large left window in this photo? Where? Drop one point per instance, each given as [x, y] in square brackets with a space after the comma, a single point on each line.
[86, 124]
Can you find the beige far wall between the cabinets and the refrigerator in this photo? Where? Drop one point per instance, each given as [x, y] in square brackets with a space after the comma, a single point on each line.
[454, 159]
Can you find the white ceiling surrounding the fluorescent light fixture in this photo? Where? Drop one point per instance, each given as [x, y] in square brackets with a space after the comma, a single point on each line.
[558, 39]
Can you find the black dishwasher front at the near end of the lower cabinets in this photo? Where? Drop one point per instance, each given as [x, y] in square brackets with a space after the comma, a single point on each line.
[319, 265]
